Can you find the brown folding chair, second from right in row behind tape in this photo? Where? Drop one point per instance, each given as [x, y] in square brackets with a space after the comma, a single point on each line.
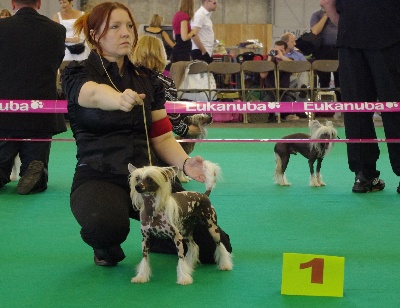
[293, 67]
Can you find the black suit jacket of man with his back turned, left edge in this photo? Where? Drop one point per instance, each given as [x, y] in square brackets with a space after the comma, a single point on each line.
[31, 51]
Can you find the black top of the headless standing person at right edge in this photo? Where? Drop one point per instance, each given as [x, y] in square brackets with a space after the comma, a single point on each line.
[368, 24]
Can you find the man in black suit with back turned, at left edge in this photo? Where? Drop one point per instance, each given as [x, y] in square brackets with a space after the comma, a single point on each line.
[31, 49]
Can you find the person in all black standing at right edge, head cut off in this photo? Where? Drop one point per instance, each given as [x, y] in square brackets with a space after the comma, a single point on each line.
[368, 56]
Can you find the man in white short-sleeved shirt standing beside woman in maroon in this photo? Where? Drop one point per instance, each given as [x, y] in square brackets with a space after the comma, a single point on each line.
[203, 41]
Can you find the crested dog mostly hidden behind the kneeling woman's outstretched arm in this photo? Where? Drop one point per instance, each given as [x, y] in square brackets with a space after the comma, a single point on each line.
[201, 120]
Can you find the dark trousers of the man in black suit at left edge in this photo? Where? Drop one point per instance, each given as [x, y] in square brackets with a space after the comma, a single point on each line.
[27, 150]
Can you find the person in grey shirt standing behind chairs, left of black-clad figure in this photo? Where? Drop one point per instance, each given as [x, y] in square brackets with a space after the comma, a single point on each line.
[321, 25]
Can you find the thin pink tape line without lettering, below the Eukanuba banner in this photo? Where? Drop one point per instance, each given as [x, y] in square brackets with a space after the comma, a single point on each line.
[237, 140]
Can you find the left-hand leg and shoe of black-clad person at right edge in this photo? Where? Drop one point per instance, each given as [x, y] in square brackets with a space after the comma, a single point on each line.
[357, 85]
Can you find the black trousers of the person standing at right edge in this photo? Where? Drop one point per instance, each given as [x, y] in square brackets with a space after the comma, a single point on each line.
[368, 76]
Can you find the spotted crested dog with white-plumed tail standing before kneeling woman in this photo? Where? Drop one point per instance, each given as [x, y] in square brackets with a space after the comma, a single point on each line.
[170, 215]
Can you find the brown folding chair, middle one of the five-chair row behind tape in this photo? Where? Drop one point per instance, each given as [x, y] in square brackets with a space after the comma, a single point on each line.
[249, 91]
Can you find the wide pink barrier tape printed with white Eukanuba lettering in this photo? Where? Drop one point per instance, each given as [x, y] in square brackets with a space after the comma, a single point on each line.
[60, 106]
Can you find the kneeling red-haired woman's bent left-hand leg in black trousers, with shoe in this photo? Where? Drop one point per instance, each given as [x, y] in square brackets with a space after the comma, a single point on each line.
[102, 209]
